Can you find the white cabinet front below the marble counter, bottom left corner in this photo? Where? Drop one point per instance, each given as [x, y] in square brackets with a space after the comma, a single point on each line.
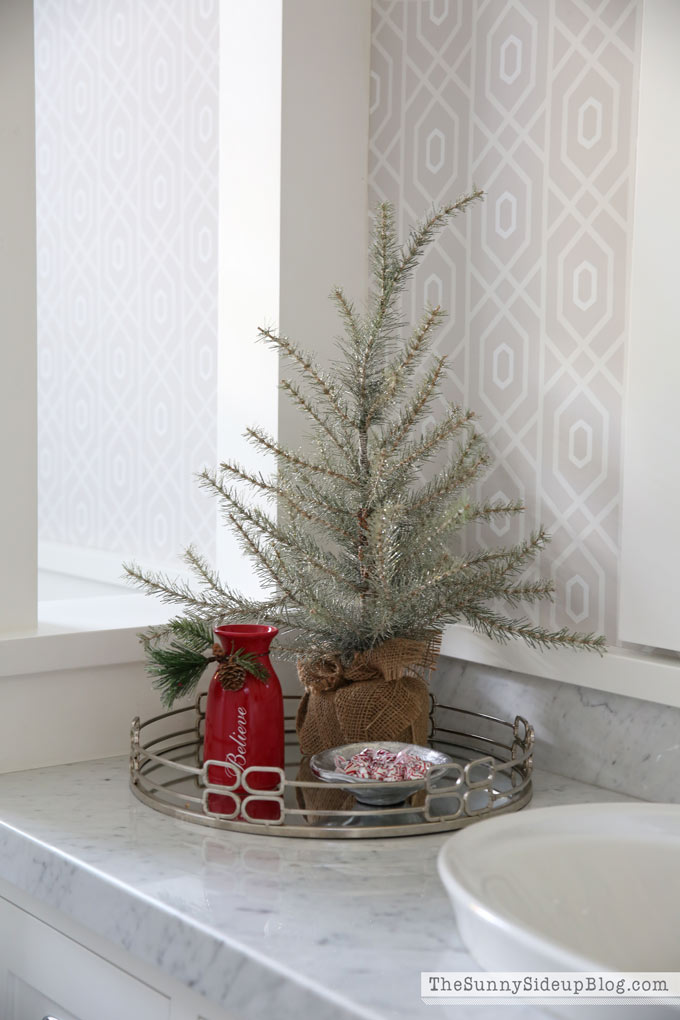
[46, 973]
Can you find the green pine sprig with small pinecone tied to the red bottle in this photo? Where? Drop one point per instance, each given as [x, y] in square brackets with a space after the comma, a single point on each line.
[177, 659]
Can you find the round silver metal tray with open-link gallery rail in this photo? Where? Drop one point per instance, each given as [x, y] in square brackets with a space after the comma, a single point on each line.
[491, 775]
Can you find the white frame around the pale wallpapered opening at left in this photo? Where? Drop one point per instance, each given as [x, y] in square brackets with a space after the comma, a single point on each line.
[304, 67]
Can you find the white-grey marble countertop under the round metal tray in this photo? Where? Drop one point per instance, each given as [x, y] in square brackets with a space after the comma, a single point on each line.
[325, 929]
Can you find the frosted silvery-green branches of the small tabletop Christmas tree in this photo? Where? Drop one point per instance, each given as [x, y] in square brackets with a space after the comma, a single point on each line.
[363, 552]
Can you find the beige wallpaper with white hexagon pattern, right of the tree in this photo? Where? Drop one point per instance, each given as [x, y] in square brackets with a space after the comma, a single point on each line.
[535, 101]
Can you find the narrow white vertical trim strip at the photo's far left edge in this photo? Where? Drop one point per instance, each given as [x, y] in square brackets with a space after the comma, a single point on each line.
[18, 320]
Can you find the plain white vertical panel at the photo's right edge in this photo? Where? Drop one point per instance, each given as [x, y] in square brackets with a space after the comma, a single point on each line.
[651, 550]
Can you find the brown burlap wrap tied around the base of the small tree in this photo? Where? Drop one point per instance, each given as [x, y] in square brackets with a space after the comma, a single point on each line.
[382, 695]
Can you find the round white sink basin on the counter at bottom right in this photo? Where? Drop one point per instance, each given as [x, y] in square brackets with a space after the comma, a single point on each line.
[587, 888]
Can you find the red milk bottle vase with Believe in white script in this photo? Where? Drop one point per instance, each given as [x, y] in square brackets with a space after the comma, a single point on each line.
[245, 727]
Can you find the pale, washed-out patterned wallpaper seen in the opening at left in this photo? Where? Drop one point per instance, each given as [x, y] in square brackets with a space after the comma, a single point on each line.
[127, 172]
